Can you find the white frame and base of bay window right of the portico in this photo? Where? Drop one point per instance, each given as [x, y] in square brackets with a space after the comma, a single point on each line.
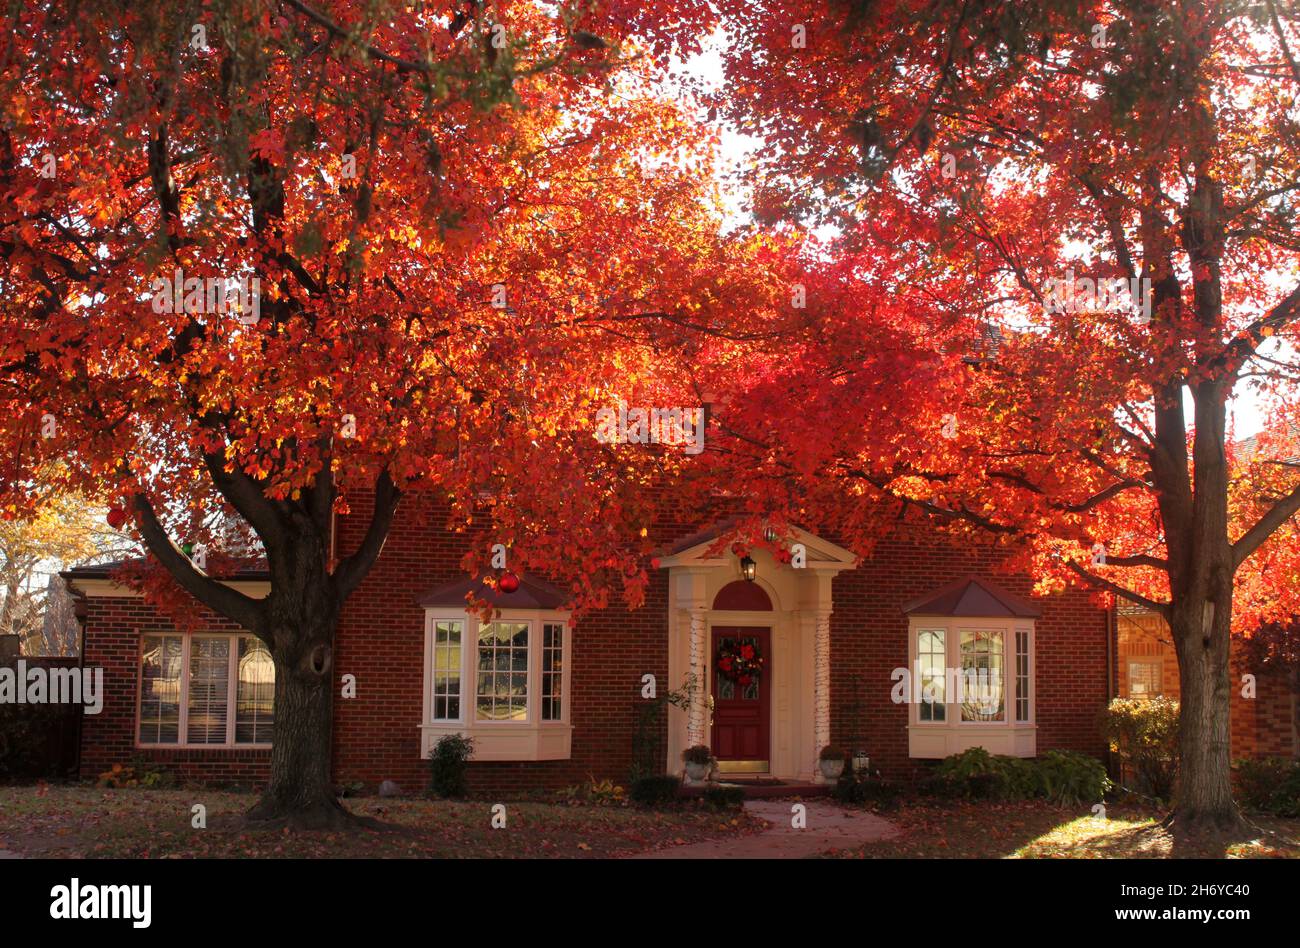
[931, 739]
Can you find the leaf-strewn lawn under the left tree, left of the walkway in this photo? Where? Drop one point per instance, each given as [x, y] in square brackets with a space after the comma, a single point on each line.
[84, 821]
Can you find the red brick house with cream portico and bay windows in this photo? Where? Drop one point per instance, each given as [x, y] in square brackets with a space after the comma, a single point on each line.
[552, 702]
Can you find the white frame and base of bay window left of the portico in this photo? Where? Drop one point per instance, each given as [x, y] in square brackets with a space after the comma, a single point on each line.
[531, 739]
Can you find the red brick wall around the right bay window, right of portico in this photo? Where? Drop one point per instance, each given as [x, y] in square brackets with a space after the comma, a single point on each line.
[869, 640]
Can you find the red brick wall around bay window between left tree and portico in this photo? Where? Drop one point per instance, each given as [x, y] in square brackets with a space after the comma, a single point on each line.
[382, 642]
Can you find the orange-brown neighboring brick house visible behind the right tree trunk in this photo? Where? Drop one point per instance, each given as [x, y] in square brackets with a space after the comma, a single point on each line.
[1263, 726]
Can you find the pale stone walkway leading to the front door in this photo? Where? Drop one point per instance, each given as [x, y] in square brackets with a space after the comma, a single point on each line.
[829, 828]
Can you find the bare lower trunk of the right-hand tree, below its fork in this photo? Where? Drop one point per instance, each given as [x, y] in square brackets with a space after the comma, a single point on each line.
[1204, 799]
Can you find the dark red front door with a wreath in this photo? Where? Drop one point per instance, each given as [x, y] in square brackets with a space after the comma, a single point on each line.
[742, 718]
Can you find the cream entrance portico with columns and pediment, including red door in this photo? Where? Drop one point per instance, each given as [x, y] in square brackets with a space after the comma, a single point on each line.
[778, 722]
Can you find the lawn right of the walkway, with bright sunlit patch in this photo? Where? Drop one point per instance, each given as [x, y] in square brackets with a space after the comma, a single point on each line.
[1039, 830]
